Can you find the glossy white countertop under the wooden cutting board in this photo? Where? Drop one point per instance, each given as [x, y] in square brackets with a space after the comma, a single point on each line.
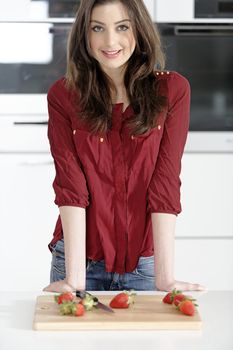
[215, 307]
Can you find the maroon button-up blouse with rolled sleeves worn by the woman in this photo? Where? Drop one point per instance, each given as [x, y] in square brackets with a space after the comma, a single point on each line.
[119, 179]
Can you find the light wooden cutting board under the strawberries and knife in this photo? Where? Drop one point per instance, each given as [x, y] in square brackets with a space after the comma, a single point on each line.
[147, 313]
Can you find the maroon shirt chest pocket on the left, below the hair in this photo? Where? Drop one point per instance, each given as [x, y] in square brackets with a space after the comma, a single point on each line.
[93, 150]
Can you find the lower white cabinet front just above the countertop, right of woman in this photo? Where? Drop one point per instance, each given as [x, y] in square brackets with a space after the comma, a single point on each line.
[205, 261]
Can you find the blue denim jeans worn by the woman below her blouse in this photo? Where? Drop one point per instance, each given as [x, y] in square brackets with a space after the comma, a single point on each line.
[142, 278]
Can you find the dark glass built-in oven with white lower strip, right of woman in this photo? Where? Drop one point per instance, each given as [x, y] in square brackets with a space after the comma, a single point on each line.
[203, 52]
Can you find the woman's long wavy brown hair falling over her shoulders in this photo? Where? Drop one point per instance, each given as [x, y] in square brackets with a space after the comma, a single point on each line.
[93, 85]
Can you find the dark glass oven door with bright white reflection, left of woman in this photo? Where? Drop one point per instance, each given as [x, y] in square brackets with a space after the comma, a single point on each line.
[32, 56]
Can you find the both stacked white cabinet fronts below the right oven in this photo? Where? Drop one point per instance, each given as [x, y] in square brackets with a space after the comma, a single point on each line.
[204, 230]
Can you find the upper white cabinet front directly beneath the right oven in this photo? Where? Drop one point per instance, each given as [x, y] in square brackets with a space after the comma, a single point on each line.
[206, 196]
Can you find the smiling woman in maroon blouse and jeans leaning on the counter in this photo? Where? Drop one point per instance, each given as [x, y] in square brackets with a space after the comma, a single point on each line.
[117, 131]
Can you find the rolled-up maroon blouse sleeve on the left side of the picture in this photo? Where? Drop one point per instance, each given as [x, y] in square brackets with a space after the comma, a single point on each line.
[69, 184]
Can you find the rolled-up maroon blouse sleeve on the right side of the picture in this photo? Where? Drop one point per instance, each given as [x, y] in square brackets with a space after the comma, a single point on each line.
[164, 187]
